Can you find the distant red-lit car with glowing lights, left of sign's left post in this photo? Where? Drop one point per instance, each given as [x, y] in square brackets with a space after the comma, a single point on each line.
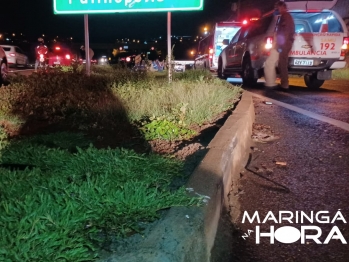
[59, 55]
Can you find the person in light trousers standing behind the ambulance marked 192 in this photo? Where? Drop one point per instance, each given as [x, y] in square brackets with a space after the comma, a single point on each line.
[279, 53]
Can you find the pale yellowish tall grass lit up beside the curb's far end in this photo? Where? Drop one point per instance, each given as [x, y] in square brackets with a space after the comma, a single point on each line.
[204, 98]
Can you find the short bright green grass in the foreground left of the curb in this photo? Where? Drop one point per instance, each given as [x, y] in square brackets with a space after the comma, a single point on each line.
[61, 206]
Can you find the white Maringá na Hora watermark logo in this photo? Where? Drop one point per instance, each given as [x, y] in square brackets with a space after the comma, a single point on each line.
[292, 234]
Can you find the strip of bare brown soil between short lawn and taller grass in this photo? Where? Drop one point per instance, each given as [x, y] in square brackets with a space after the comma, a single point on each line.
[127, 136]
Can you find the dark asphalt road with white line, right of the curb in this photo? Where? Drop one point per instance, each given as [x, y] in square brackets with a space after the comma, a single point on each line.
[300, 165]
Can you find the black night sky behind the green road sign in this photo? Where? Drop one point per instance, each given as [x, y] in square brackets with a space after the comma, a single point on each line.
[35, 17]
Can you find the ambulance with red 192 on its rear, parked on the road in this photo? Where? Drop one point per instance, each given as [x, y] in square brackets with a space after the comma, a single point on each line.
[321, 42]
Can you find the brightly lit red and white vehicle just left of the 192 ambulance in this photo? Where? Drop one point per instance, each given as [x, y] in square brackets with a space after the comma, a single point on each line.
[211, 46]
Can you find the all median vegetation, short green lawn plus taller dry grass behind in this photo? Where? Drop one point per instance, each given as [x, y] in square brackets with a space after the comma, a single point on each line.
[61, 197]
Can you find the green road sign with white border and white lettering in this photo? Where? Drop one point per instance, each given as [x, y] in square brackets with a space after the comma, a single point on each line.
[114, 6]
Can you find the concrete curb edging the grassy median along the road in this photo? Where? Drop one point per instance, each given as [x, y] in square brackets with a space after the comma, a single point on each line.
[188, 233]
